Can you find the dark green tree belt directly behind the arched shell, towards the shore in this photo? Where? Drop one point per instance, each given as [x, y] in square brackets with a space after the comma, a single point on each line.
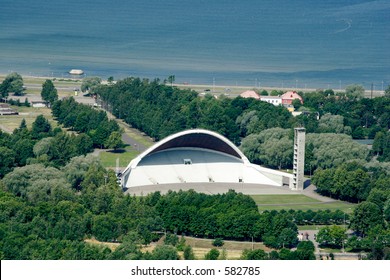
[160, 110]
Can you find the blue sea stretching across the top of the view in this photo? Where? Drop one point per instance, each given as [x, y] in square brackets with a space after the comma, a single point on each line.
[281, 43]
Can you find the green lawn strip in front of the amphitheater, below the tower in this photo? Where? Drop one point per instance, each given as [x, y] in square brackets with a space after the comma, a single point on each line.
[298, 202]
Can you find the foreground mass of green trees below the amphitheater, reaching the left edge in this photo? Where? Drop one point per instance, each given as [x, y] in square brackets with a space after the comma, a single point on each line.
[48, 212]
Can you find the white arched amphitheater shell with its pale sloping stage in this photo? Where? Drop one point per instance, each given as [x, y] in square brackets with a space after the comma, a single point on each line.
[196, 156]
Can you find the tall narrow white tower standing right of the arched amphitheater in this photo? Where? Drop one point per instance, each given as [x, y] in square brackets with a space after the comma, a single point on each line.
[299, 159]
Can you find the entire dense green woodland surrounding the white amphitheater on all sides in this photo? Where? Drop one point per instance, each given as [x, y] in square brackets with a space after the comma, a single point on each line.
[53, 197]
